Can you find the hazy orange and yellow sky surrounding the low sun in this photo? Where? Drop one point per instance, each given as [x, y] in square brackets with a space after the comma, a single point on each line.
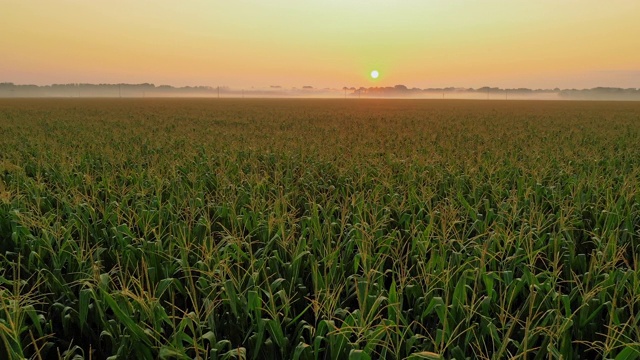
[328, 43]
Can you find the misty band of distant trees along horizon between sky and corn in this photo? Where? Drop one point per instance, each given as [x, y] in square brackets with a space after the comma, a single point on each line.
[8, 89]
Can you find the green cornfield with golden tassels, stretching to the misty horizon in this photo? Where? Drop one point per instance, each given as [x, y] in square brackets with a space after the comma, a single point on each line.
[319, 229]
